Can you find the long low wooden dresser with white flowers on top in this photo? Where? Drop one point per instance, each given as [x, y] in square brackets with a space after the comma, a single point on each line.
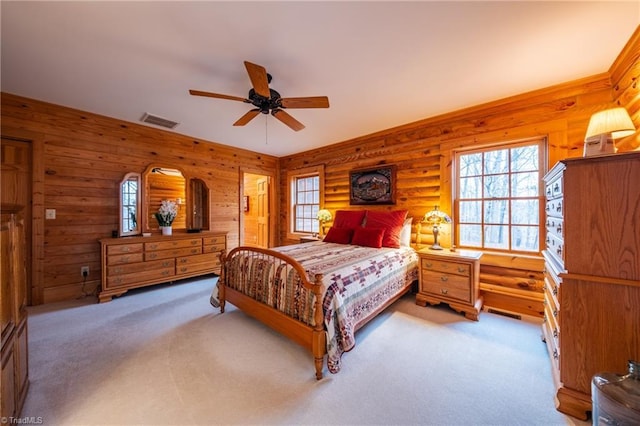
[133, 262]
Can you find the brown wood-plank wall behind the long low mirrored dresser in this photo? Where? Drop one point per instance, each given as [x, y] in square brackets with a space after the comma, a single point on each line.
[79, 160]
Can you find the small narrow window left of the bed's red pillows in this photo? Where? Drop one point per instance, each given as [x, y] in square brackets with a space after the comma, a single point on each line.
[305, 199]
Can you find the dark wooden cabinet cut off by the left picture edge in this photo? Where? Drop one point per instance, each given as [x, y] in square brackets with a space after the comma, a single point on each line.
[14, 357]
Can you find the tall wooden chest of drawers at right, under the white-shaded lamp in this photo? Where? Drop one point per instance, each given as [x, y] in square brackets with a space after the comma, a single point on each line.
[592, 273]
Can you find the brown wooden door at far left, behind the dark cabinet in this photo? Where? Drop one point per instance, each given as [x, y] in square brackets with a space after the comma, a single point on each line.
[16, 189]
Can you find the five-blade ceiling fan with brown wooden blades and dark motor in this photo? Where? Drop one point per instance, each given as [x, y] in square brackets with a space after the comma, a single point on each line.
[267, 100]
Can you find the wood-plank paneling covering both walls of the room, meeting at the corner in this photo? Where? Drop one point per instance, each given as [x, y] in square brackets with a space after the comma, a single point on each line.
[79, 159]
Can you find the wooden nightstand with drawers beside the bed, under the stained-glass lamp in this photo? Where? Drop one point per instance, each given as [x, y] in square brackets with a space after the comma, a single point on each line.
[452, 278]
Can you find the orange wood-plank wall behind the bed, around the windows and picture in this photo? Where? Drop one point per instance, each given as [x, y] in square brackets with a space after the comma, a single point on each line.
[423, 153]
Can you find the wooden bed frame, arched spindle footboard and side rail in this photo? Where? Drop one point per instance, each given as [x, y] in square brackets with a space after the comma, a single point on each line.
[312, 338]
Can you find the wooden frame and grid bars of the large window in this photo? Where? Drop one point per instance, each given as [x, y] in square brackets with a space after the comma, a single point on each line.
[541, 142]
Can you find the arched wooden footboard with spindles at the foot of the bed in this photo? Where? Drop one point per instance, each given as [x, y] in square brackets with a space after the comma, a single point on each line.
[274, 288]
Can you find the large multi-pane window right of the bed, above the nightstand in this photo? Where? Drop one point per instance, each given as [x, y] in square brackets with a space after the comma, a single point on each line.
[498, 193]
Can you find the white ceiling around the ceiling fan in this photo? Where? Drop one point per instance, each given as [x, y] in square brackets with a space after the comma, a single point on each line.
[382, 64]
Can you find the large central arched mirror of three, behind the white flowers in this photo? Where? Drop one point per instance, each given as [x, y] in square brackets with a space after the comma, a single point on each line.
[164, 183]
